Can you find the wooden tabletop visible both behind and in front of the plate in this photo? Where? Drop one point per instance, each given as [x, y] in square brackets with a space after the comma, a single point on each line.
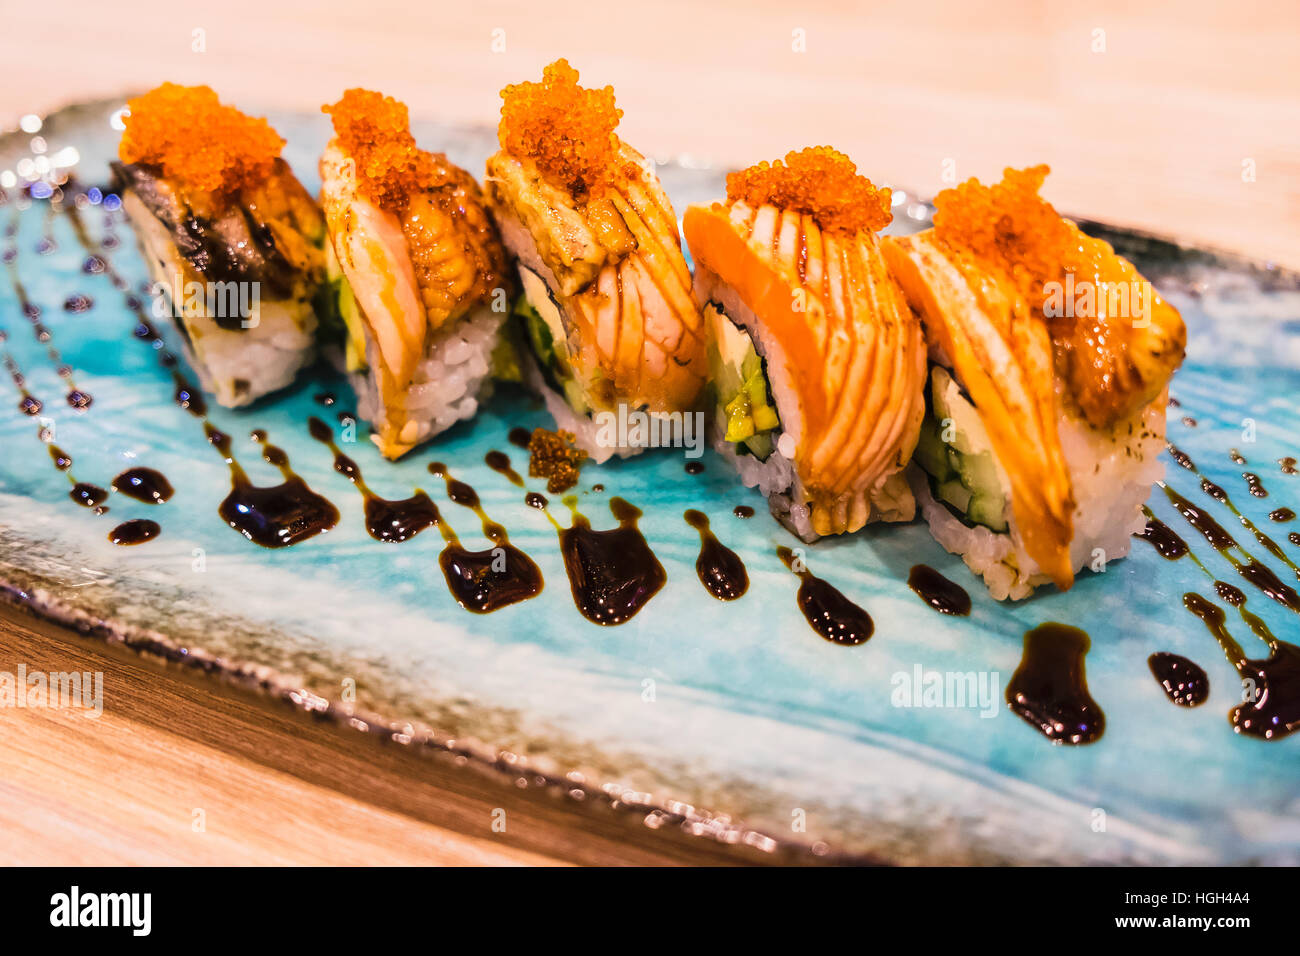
[1178, 118]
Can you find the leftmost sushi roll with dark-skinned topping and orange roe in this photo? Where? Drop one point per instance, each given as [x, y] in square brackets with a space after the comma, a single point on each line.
[233, 241]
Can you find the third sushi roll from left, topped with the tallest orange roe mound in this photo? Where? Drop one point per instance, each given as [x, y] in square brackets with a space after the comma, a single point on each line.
[608, 314]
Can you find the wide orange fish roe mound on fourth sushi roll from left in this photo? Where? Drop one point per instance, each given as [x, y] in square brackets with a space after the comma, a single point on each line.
[821, 183]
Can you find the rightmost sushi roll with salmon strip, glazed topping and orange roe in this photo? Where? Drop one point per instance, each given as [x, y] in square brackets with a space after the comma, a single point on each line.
[1048, 386]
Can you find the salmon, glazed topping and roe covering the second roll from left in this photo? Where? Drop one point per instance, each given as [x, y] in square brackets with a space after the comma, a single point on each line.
[415, 244]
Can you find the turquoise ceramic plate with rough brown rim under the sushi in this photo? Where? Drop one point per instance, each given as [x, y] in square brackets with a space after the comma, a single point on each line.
[734, 720]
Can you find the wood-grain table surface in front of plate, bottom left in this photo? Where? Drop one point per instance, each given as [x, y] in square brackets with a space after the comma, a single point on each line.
[183, 771]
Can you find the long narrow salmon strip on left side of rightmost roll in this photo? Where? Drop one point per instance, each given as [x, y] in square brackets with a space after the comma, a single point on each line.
[1004, 358]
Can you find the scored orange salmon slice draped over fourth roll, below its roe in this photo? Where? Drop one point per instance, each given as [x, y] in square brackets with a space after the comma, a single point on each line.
[839, 331]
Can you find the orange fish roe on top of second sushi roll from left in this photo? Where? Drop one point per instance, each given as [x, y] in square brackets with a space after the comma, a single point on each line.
[375, 131]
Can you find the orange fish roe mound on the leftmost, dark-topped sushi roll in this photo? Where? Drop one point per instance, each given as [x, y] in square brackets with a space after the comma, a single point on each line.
[198, 142]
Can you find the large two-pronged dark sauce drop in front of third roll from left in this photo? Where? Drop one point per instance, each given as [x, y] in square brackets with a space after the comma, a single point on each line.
[613, 574]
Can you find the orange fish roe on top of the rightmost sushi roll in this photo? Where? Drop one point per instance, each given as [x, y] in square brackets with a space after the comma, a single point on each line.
[1008, 226]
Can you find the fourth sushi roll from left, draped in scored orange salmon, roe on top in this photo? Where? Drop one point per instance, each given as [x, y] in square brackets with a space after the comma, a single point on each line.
[817, 364]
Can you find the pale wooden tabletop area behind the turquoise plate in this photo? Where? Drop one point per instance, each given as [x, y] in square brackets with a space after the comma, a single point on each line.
[1149, 113]
